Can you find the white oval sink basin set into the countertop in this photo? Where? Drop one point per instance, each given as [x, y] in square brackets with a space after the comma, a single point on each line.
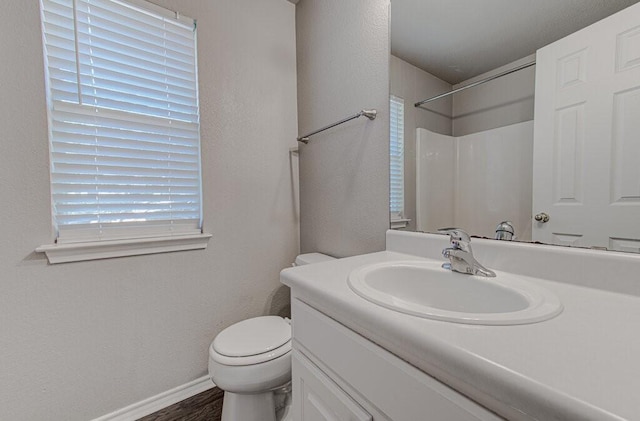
[425, 289]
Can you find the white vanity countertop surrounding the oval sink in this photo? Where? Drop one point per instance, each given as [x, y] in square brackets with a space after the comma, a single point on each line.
[584, 364]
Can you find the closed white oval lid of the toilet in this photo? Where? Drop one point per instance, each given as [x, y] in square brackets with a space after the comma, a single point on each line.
[253, 336]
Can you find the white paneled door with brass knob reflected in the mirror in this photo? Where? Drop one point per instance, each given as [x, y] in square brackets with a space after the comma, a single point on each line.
[586, 171]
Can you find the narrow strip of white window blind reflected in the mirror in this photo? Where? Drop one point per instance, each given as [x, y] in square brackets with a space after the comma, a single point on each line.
[397, 158]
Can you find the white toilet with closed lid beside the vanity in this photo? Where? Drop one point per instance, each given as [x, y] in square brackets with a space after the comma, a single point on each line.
[251, 362]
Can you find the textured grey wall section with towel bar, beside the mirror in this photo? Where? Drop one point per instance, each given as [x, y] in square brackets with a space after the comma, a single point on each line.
[343, 66]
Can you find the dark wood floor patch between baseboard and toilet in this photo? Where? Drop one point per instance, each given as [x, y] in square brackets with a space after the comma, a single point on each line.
[206, 406]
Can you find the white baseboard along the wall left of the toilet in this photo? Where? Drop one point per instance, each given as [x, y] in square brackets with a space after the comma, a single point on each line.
[160, 401]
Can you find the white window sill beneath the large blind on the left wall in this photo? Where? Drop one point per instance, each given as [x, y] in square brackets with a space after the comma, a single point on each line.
[77, 252]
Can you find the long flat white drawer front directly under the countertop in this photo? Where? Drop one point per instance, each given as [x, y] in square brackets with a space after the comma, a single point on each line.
[397, 389]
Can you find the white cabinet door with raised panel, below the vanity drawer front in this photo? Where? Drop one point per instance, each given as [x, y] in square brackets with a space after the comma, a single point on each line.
[318, 398]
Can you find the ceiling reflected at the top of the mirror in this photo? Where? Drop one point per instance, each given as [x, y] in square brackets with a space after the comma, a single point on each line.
[458, 39]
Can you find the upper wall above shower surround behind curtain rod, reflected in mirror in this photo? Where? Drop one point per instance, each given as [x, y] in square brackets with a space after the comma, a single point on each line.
[498, 103]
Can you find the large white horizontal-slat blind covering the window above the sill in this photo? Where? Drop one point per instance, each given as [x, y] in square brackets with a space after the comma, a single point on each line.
[123, 120]
